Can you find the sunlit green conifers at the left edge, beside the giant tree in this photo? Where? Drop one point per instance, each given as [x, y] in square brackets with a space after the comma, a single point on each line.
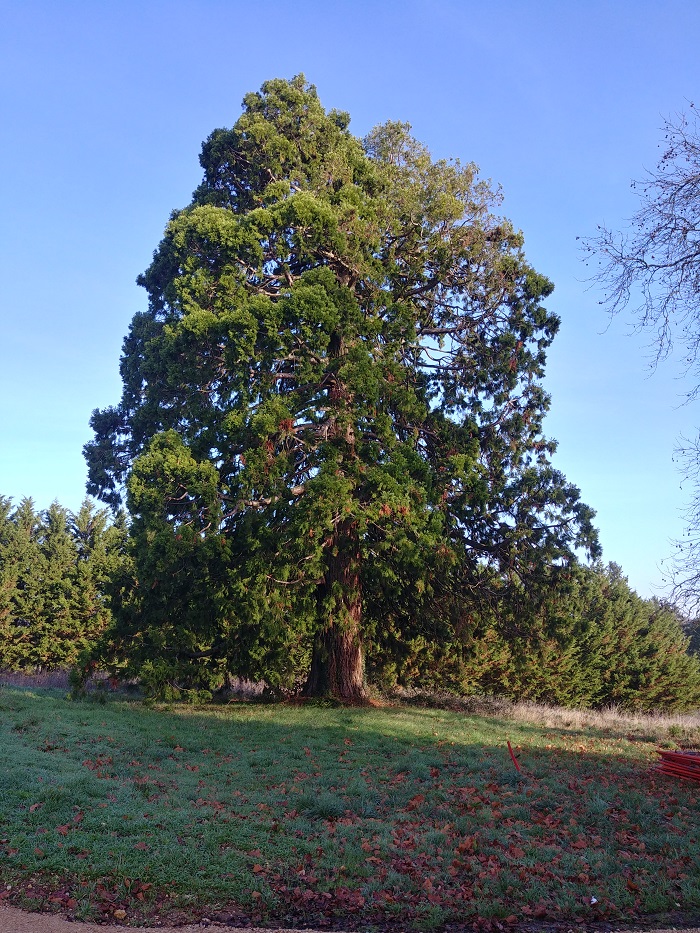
[54, 568]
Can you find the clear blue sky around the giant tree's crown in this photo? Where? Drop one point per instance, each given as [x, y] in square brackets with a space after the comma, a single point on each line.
[103, 109]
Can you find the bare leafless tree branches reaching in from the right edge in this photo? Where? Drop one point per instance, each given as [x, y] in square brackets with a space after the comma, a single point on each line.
[653, 269]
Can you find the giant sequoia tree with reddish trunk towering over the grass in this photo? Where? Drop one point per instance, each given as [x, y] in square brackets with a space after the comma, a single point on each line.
[333, 404]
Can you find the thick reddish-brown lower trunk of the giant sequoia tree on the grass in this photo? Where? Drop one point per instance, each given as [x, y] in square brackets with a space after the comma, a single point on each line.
[337, 665]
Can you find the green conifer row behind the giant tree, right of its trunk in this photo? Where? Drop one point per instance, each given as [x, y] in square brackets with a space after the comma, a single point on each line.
[582, 638]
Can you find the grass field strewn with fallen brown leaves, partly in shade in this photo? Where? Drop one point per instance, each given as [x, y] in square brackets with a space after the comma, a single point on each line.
[340, 817]
